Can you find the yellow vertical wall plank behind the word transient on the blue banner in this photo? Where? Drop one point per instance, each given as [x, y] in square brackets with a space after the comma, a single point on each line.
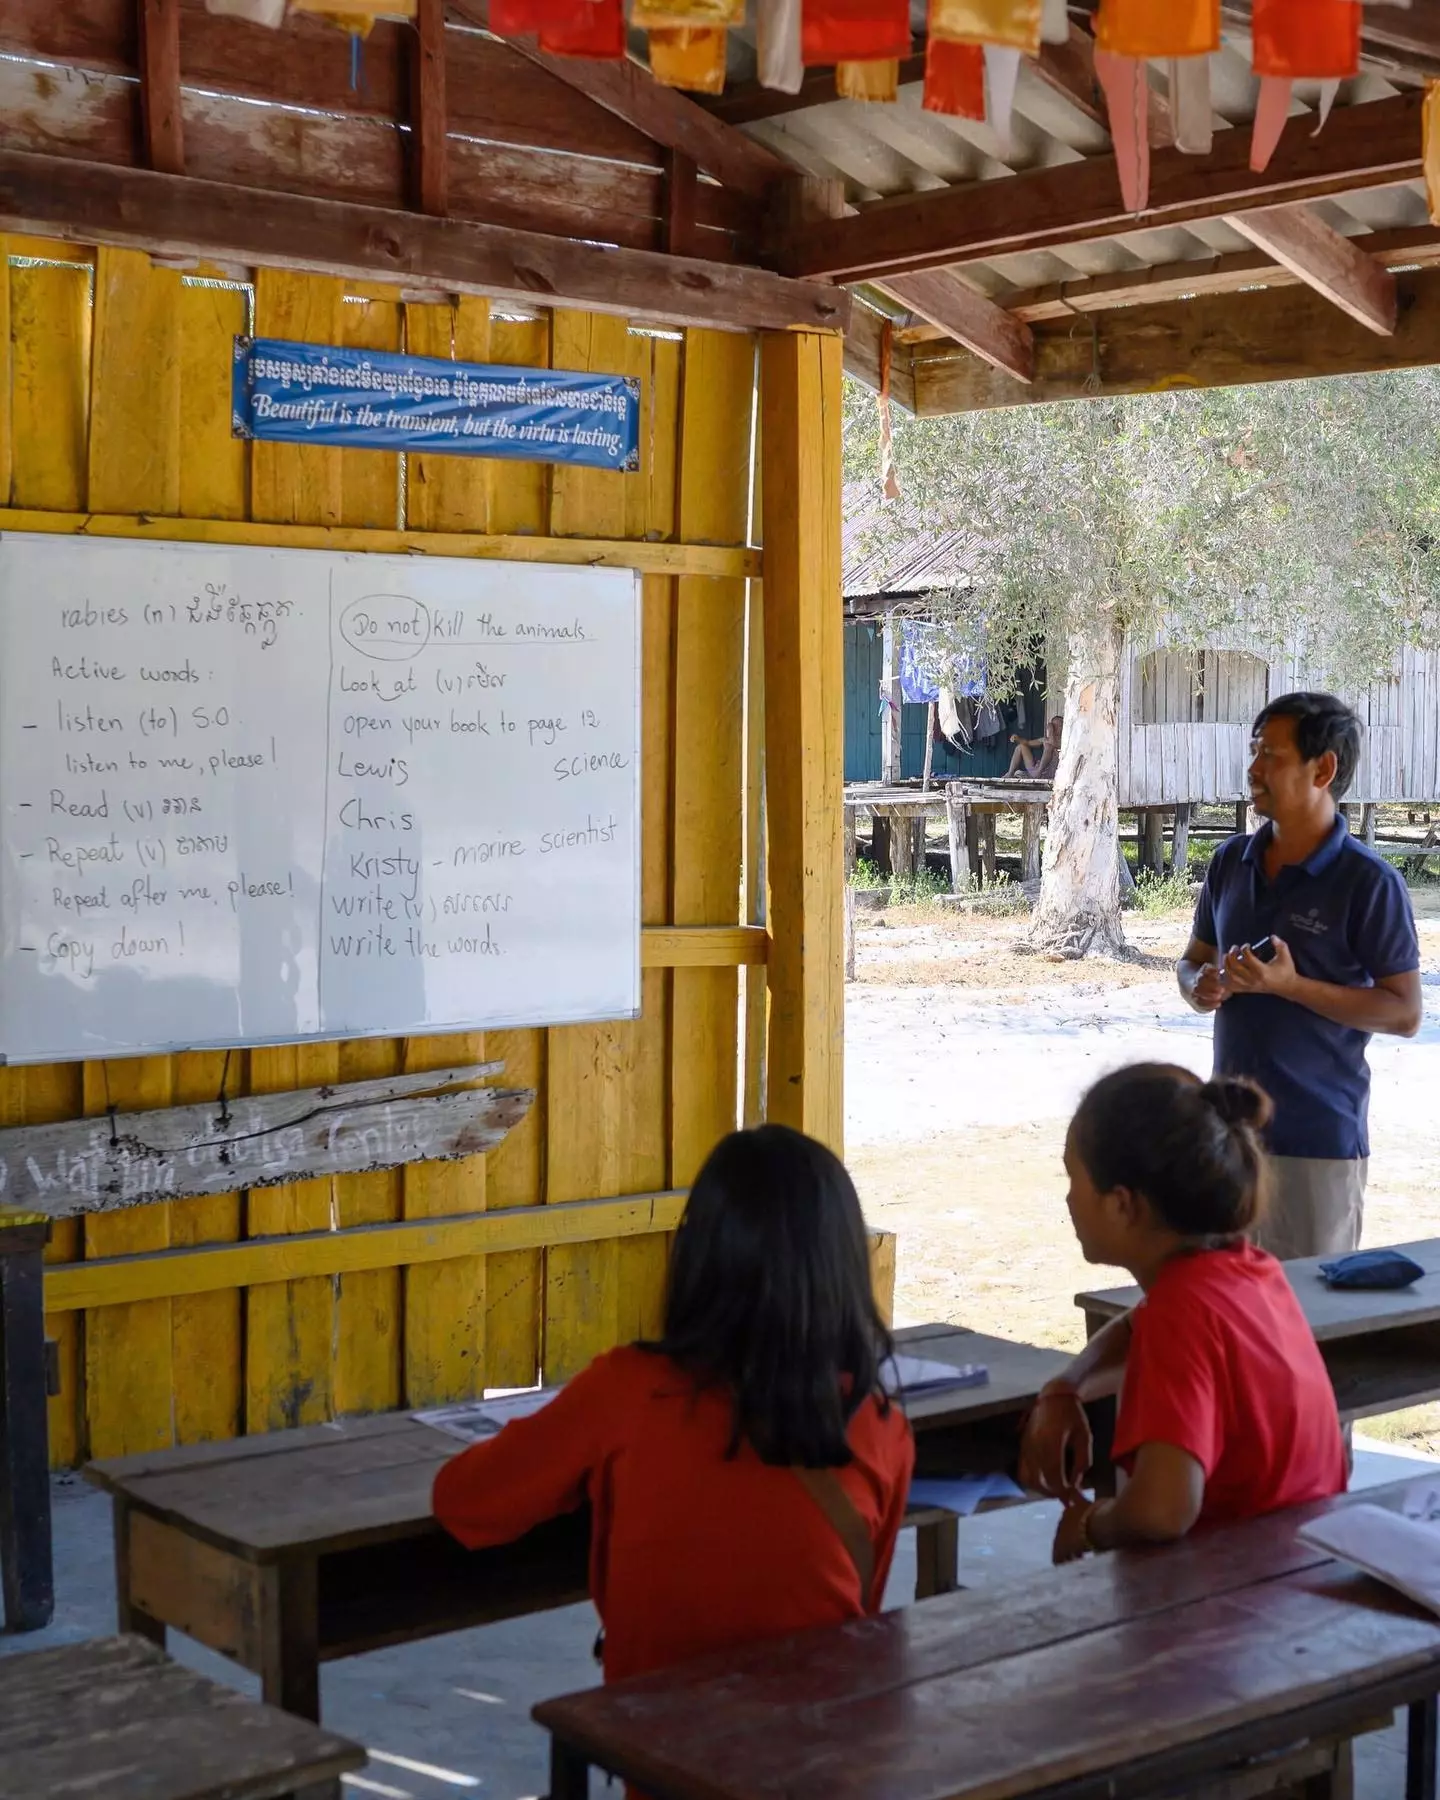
[445, 1304]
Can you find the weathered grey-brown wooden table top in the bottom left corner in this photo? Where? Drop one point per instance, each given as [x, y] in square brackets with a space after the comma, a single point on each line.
[118, 1718]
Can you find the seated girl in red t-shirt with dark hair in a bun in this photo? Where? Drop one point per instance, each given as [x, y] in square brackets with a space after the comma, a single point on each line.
[1227, 1410]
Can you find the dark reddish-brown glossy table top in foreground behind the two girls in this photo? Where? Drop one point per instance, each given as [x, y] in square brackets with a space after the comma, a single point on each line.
[1030, 1686]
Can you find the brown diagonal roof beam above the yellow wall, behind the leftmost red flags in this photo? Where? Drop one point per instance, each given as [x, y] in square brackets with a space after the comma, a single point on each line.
[663, 114]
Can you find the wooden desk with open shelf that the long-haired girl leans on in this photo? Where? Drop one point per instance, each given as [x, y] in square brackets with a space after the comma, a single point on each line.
[303, 1547]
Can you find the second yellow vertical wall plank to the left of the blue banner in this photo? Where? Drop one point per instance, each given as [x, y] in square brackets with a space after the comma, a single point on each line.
[134, 467]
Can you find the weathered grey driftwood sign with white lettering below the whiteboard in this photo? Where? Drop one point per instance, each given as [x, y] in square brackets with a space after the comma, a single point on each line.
[179, 1153]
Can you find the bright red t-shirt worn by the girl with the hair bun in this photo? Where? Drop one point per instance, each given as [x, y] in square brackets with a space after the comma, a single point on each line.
[1225, 1367]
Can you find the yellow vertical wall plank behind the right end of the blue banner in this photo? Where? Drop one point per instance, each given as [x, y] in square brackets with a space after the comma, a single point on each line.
[607, 1084]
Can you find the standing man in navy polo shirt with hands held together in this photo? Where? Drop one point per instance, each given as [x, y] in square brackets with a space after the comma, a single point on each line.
[1345, 966]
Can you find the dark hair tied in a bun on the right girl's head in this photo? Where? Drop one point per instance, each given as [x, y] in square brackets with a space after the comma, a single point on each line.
[1191, 1147]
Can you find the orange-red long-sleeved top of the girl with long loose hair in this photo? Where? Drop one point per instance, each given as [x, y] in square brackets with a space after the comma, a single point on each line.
[692, 1551]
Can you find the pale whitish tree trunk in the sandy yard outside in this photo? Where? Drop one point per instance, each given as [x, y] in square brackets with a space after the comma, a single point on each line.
[1079, 912]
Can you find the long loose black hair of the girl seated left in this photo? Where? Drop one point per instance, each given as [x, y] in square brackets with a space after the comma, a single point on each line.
[769, 1297]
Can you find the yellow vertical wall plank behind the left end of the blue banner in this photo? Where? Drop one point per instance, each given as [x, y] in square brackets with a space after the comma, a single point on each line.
[291, 1326]
